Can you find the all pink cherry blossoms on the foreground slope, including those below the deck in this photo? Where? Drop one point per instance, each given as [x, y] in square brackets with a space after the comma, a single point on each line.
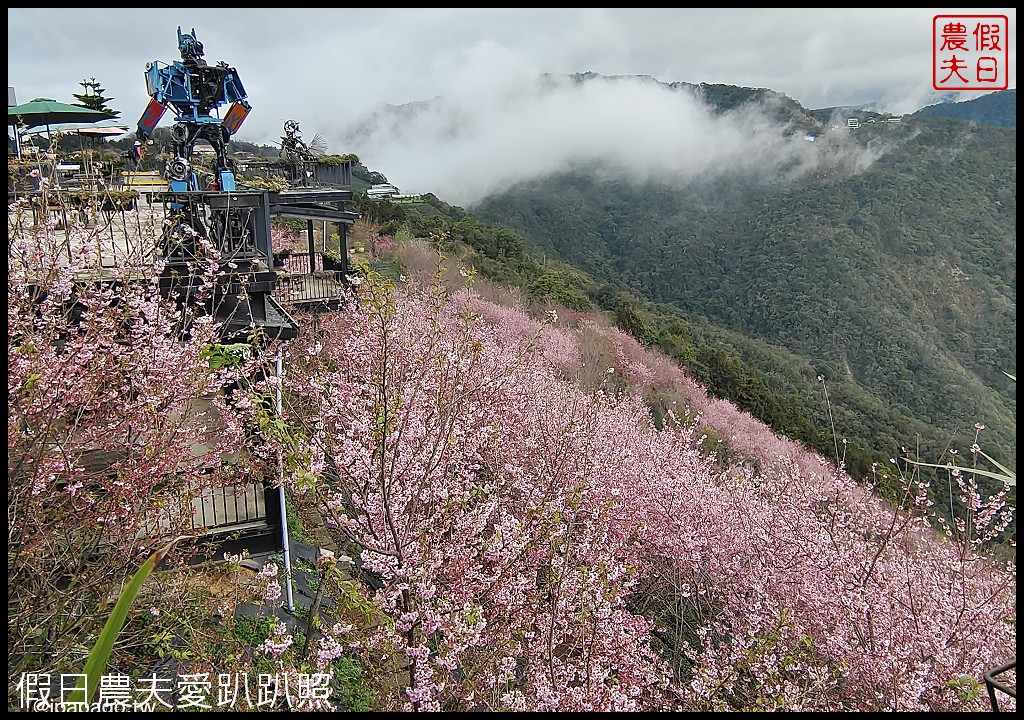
[541, 514]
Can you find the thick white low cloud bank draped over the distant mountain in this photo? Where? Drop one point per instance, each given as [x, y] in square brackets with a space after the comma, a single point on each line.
[465, 147]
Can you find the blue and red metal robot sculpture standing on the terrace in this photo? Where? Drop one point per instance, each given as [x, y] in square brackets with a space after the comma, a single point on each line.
[194, 90]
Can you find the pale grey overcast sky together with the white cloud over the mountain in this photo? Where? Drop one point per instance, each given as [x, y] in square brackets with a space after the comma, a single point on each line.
[331, 70]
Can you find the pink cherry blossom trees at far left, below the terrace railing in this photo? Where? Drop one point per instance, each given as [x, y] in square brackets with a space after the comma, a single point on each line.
[115, 426]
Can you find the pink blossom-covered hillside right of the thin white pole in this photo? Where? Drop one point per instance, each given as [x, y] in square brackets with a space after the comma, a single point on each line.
[543, 546]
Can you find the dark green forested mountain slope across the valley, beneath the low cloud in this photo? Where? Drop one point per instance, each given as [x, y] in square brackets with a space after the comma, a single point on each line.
[895, 280]
